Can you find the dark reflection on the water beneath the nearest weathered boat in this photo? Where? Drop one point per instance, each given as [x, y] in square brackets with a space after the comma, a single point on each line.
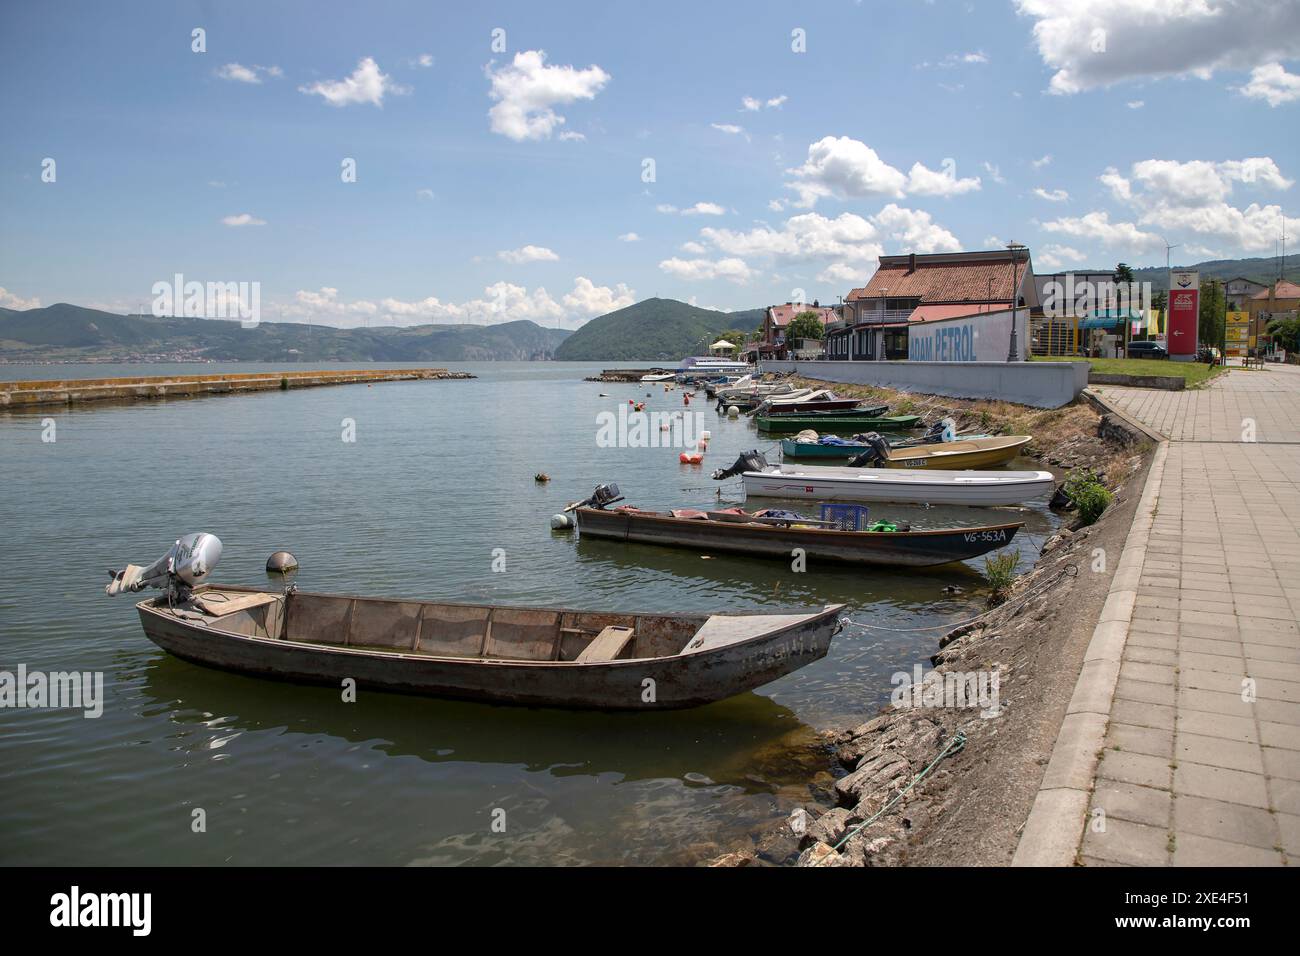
[725, 738]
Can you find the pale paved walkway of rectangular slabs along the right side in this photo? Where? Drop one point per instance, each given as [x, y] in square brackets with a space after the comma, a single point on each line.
[1202, 756]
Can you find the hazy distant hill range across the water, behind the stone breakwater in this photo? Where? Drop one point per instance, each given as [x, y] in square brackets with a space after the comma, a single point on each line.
[72, 334]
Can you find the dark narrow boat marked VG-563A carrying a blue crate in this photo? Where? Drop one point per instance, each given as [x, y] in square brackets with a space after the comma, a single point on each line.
[730, 533]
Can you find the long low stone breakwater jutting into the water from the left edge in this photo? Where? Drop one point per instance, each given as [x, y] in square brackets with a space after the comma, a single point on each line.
[31, 395]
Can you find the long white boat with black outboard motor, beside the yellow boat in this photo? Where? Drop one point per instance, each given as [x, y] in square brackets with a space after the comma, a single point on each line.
[908, 486]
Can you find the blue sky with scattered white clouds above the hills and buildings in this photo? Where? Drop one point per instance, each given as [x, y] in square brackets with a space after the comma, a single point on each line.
[496, 185]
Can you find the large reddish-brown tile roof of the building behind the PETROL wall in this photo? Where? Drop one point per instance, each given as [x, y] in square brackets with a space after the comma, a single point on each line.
[943, 279]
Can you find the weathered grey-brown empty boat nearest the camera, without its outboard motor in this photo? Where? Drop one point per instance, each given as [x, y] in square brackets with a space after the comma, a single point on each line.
[534, 656]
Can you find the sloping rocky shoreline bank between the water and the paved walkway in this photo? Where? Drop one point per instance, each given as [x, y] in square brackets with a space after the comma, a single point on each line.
[968, 808]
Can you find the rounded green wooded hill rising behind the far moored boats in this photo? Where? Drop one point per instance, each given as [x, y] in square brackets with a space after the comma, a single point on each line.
[653, 331]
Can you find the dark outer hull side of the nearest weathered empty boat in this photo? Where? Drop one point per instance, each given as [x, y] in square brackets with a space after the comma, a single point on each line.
[681, 681]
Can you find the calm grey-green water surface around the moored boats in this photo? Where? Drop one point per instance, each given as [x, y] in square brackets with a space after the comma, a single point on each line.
[441, 474]
